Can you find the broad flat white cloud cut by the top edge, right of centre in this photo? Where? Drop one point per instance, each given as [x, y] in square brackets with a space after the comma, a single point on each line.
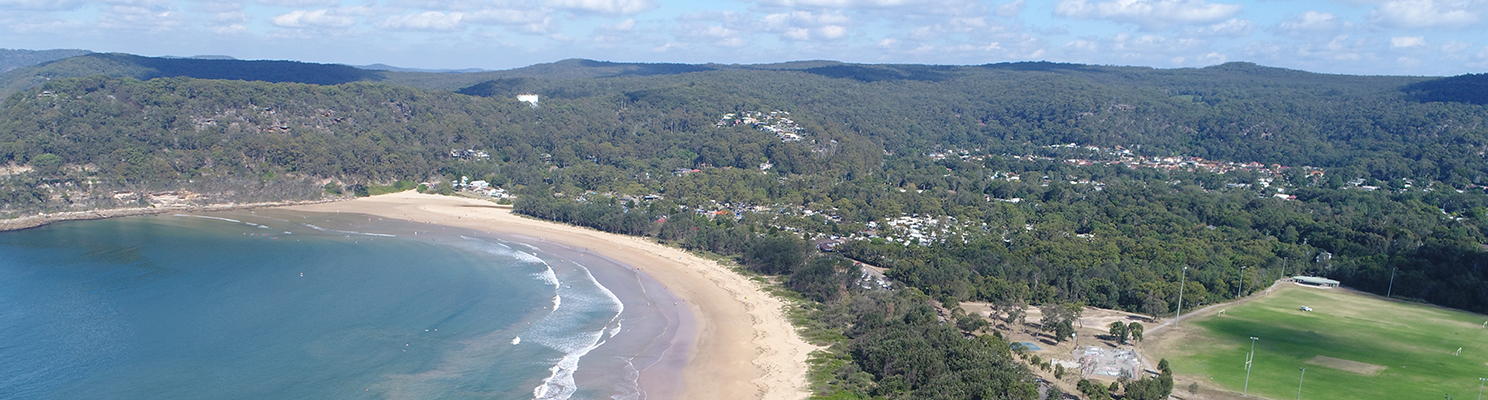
[1155, 14]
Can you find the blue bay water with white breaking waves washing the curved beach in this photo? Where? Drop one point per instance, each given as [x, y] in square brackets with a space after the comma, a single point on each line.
[276, 304]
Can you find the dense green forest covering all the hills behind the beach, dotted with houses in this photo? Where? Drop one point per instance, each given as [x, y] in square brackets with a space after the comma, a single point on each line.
[1022, 184]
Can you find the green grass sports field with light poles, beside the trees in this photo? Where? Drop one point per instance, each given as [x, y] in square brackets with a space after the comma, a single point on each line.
[1353, 347]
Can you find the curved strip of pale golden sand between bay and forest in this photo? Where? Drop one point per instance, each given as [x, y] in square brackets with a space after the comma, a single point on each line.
[745, 344]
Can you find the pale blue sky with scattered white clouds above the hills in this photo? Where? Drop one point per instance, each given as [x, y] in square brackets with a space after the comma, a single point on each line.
[1420, 38]
